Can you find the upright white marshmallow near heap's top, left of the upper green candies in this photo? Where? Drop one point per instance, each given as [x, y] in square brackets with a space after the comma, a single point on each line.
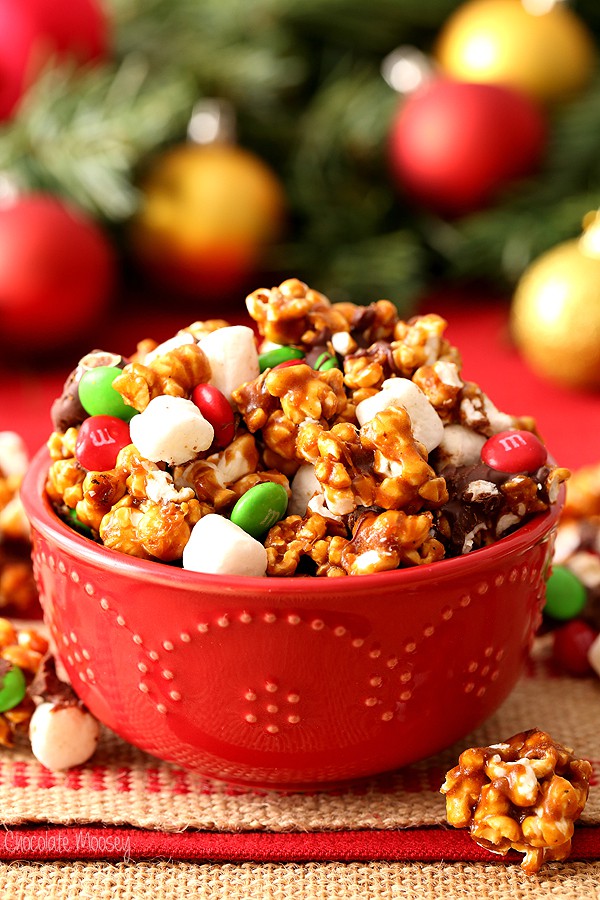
[233, 357]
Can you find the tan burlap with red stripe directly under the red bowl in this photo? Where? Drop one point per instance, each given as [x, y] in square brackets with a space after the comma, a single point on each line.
[123, 786]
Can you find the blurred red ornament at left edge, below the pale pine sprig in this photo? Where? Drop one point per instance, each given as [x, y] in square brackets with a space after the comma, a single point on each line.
[57, 270]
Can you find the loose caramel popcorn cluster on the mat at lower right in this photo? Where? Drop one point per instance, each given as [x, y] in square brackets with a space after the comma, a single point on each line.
[525, 794]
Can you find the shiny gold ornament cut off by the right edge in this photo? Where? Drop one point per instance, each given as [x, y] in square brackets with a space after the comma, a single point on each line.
[555, 316]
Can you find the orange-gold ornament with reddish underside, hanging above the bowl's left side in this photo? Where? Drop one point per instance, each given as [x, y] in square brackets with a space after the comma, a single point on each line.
[208, 213]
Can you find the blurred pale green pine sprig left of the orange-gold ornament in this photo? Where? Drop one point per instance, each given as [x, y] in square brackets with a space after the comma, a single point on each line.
[81, 135]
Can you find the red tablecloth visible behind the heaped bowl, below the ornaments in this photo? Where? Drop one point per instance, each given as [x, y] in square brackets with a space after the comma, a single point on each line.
[568, 420]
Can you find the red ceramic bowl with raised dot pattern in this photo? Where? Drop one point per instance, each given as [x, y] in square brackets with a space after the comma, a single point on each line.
[288, 683]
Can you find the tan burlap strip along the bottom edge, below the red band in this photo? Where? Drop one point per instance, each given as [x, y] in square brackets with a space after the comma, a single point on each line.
[312, 881]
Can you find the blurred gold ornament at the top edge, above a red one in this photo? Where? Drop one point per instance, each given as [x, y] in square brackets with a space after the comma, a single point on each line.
[538, 46]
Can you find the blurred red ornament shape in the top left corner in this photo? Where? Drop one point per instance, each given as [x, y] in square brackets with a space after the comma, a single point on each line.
[34, 31]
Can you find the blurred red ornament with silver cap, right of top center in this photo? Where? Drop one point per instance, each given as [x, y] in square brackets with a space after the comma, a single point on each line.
[454, 146]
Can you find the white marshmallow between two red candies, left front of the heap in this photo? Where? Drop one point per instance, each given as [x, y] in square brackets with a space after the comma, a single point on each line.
[171, 430]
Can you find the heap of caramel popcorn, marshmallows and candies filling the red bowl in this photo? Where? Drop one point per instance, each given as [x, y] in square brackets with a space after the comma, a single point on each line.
[346, 443]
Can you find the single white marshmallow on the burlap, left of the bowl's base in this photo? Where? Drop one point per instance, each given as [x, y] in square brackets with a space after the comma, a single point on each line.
[62, 736]
